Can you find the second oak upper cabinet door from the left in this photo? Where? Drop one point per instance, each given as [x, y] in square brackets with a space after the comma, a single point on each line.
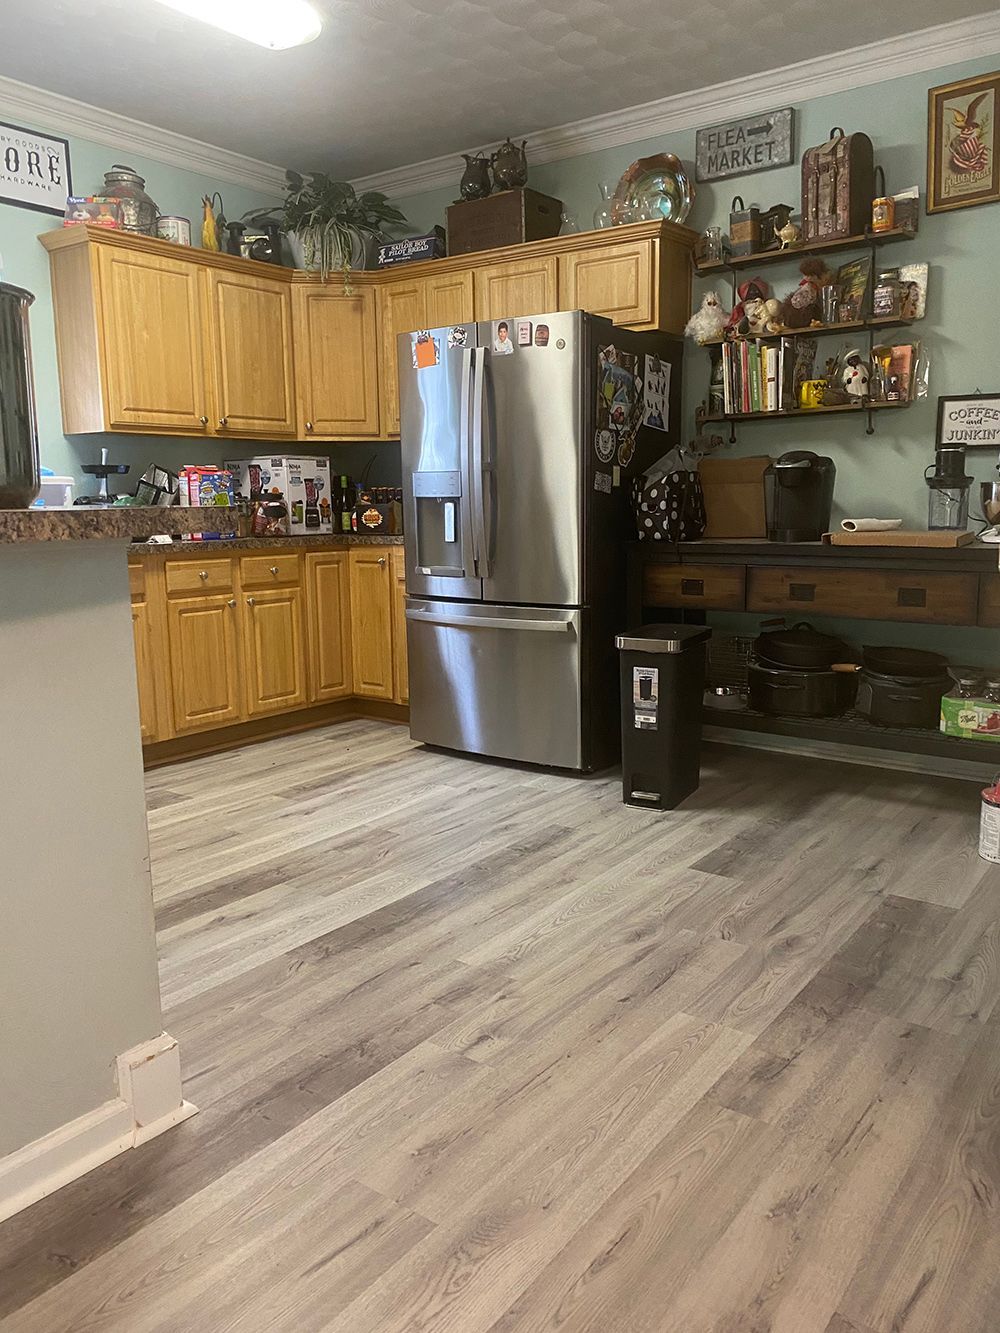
[251, 321]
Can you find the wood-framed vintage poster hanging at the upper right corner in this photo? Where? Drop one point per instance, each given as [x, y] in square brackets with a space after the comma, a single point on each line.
[962, 159]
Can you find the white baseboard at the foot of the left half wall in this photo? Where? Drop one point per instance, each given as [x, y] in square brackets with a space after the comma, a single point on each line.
[150, 1102]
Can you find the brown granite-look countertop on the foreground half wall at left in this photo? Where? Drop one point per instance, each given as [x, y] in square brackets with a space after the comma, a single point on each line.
[90, 523]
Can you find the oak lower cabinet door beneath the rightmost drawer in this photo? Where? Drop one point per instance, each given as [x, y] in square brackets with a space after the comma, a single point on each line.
[274, 645]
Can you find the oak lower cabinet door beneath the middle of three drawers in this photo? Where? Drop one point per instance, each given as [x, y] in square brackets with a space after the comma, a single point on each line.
[203, 642]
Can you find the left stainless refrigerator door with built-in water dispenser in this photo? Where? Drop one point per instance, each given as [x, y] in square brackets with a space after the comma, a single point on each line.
[435, 423]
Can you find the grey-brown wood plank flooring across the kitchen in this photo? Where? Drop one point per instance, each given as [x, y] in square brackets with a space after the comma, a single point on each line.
[482, 1050]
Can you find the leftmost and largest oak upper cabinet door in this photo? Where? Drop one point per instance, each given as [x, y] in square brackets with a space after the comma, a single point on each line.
[153, 345]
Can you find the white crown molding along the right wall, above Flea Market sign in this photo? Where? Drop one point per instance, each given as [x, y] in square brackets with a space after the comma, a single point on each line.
[931, 49]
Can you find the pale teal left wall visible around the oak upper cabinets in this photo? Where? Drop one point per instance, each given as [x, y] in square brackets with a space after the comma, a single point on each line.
[26, 265]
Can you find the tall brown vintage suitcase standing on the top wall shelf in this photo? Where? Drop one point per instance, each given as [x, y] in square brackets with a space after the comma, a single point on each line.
[838, 187]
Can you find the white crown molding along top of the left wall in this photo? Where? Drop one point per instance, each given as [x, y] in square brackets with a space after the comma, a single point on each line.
[67, 117]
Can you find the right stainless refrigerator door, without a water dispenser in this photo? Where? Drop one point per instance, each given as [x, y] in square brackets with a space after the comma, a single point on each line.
[533, 463]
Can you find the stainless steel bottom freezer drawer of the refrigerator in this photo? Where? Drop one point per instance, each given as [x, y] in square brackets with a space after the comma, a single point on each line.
[503, 682]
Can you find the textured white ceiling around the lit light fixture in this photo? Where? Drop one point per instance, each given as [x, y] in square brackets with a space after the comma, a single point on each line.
[395, 82]
